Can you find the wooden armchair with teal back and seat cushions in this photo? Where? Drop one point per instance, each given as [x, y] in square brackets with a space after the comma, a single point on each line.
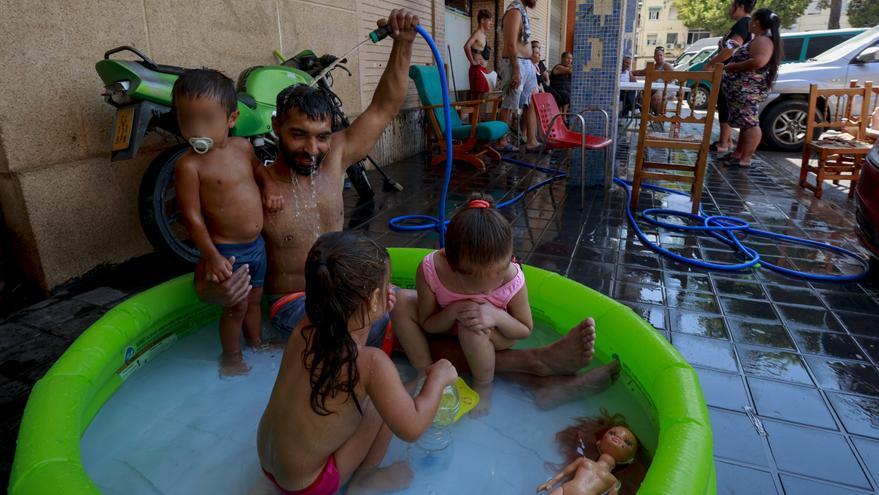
[471, 140]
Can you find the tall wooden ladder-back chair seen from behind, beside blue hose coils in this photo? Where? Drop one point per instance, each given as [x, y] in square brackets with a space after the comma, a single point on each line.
[675, 138]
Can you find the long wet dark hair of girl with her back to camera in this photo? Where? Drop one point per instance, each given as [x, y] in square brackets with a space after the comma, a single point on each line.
[342, 271]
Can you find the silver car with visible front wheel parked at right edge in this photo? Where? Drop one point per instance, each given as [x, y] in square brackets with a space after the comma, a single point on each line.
[783, 115]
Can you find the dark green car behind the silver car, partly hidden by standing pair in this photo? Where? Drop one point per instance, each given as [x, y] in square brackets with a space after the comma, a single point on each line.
[797, 47]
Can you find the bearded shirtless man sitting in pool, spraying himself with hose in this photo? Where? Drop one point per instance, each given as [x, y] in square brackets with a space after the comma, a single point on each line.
[309, 175]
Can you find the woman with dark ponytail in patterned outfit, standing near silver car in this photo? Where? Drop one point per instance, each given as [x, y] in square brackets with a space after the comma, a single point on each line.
[747, 80]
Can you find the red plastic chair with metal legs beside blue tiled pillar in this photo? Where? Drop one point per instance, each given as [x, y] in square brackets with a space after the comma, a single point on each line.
[558, 136]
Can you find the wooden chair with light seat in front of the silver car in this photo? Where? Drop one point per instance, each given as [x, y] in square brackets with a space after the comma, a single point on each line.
[840, 116]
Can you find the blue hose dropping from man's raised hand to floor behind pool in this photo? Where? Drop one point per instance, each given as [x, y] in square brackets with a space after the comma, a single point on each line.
[409, 223]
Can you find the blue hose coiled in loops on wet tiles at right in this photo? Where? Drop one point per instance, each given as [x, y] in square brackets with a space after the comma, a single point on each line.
[725, 229]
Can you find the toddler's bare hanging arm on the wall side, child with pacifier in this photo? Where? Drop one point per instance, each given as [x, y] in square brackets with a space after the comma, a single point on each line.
[217, 268]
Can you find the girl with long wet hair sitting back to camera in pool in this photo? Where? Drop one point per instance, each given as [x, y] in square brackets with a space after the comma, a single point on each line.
[336, 402]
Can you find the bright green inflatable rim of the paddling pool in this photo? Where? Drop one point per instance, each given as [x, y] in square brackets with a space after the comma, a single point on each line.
[63, 403]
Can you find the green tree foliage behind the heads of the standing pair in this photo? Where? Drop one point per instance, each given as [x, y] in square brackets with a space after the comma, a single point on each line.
[711, 15]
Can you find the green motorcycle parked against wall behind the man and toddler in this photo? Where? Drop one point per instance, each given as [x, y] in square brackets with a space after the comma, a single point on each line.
[140, 90]
